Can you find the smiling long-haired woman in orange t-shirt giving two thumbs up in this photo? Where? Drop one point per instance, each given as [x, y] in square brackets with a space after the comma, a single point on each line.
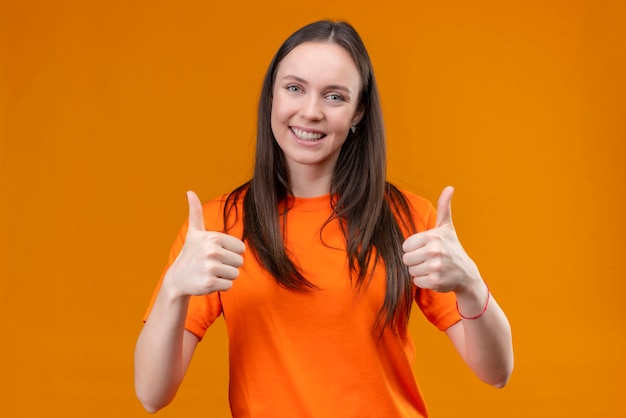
[327, 255]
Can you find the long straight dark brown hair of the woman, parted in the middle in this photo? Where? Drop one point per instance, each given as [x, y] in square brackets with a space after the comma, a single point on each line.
[373, 213]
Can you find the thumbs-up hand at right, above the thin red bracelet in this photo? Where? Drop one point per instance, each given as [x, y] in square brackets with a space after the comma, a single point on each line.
[435, 258]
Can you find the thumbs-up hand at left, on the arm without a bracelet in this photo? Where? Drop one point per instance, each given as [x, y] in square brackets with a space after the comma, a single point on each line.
[208, 262]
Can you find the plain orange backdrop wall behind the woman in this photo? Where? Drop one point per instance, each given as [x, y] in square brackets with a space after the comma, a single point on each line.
[111, 110]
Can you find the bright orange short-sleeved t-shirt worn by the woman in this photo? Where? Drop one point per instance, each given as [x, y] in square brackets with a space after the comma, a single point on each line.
[316, 353]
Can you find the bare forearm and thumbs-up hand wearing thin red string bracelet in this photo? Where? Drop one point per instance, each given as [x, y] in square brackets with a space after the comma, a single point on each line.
[437, 261]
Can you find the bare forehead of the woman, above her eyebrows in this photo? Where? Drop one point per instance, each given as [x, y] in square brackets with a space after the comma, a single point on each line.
[320, 62]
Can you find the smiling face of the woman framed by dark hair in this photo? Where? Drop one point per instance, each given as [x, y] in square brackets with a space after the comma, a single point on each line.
[315, 101]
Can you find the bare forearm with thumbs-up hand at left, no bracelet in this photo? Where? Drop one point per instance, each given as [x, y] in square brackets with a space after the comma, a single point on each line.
[207, 263]
